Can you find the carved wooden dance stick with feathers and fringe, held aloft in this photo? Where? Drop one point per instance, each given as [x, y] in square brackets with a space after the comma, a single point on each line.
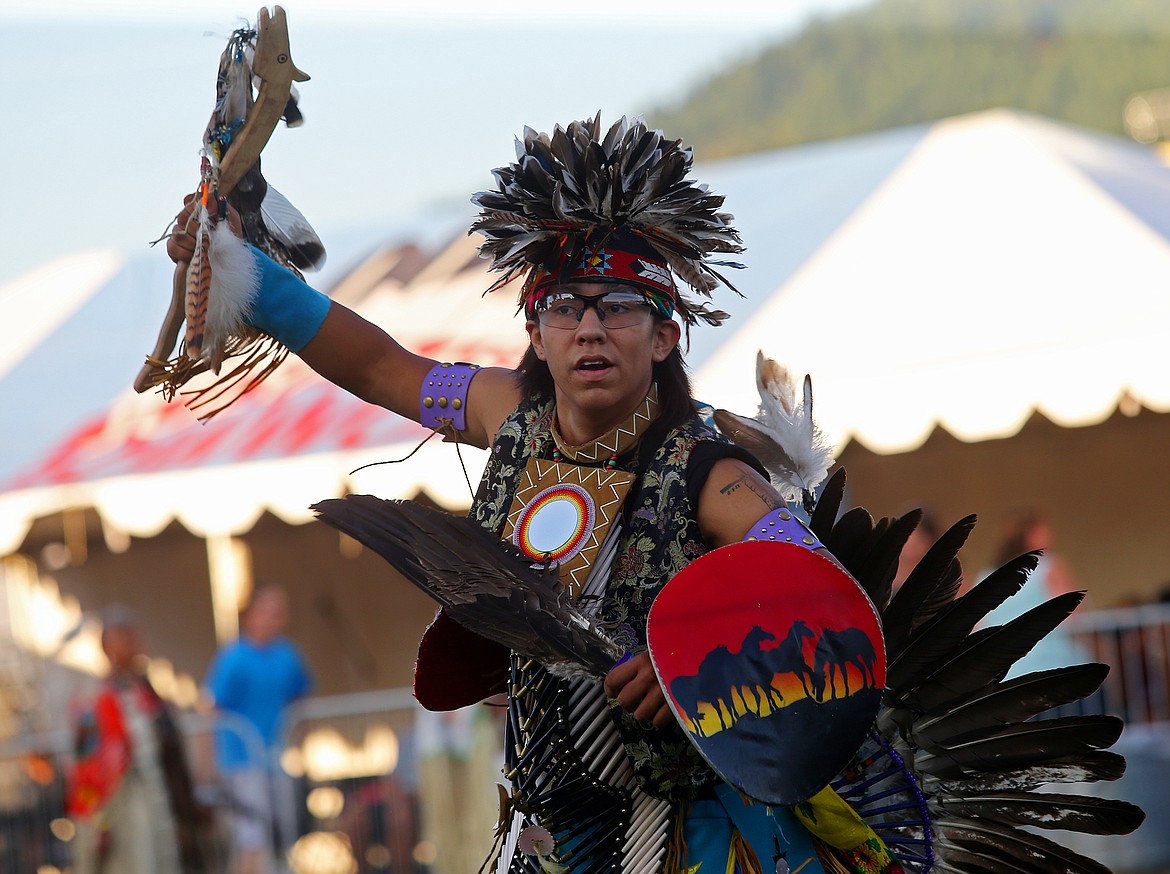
[215, 293]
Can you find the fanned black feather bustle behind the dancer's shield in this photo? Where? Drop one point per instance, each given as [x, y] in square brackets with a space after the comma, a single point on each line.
[954, 732]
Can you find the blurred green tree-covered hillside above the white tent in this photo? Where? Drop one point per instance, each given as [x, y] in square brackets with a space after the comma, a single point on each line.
[910, 61]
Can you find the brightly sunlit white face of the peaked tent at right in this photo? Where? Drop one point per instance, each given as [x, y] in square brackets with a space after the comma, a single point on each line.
[1008, 266]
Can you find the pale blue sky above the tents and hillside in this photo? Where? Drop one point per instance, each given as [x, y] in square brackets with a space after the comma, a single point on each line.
[409, 109]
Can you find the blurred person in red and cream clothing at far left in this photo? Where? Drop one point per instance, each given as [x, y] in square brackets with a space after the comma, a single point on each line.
[130, 792]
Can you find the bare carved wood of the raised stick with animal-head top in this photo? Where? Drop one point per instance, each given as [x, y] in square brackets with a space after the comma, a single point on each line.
[273, 66]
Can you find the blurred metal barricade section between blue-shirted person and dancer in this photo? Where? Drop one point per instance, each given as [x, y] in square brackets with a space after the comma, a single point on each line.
[373, 783]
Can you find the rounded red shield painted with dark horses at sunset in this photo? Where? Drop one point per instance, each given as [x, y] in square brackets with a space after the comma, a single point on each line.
[773, 662]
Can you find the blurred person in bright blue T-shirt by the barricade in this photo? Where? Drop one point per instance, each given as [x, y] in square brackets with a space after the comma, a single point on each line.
[254, 679]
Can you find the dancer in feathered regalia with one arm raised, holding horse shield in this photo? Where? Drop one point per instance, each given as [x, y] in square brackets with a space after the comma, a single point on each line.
[604, 485]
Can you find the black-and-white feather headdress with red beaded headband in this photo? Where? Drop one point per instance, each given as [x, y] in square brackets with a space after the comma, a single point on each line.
[582, 207]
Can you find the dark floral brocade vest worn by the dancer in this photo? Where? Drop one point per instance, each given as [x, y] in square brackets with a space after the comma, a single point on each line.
[660, 536]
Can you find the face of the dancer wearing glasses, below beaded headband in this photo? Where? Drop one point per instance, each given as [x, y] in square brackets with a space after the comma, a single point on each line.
[600, 369]
